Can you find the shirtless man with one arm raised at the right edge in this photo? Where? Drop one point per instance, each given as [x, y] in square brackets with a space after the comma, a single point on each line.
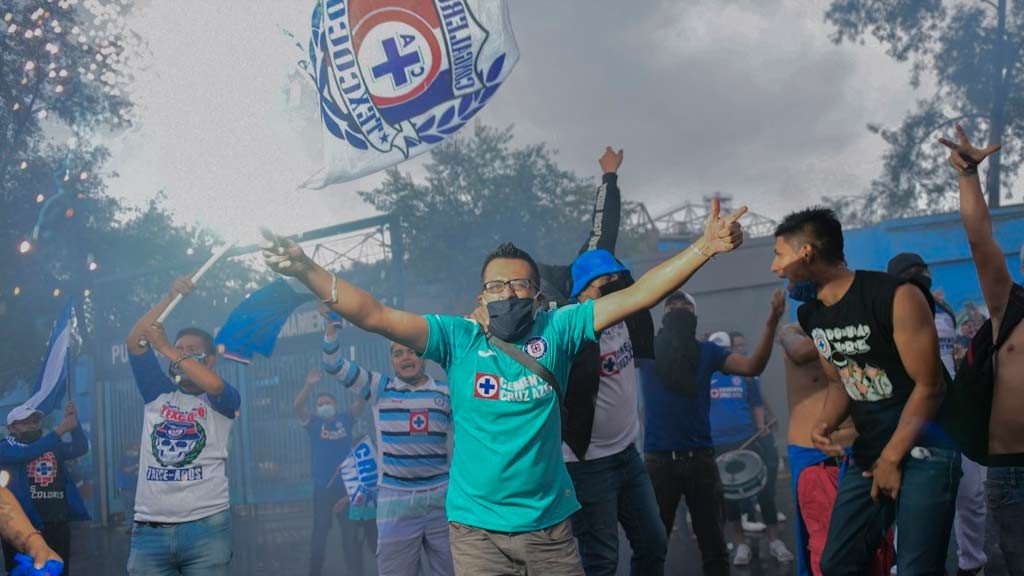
[1005, 300]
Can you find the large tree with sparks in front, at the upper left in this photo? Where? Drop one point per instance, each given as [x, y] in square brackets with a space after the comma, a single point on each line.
[65, 67]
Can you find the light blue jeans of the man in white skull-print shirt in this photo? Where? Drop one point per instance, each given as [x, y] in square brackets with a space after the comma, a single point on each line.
[201, 548]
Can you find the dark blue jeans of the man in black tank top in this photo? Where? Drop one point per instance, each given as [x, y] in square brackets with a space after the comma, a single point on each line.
[924, 511]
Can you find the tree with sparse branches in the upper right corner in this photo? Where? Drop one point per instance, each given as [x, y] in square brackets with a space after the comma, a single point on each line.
[972, 50]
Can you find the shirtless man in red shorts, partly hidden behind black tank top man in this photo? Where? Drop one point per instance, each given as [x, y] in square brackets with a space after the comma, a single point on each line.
[815, 474]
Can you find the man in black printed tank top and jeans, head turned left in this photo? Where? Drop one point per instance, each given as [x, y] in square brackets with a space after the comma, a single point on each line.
[877, 340]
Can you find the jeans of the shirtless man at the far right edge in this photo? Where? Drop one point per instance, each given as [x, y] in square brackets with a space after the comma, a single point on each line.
[1005, 489]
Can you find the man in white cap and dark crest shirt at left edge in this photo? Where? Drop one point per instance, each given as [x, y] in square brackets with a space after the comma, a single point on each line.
[39, 477]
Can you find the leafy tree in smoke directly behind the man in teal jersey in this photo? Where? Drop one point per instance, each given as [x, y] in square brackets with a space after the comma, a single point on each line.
[481, 191]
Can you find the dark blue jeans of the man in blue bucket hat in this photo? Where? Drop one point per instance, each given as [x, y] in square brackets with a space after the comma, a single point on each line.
[617, 490]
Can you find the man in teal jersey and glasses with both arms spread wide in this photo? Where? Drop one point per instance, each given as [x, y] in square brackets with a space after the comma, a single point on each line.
[510, 497]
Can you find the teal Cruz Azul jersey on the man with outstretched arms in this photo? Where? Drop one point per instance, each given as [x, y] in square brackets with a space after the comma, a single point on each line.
[507, 469]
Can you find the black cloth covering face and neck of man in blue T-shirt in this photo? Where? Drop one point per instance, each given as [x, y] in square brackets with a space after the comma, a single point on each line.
[677, 353]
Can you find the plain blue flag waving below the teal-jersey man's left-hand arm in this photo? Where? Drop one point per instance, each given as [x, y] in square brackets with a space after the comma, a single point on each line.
[254, 324]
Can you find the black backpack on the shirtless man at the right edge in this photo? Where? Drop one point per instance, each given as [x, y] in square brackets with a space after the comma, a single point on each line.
[974, 385]
